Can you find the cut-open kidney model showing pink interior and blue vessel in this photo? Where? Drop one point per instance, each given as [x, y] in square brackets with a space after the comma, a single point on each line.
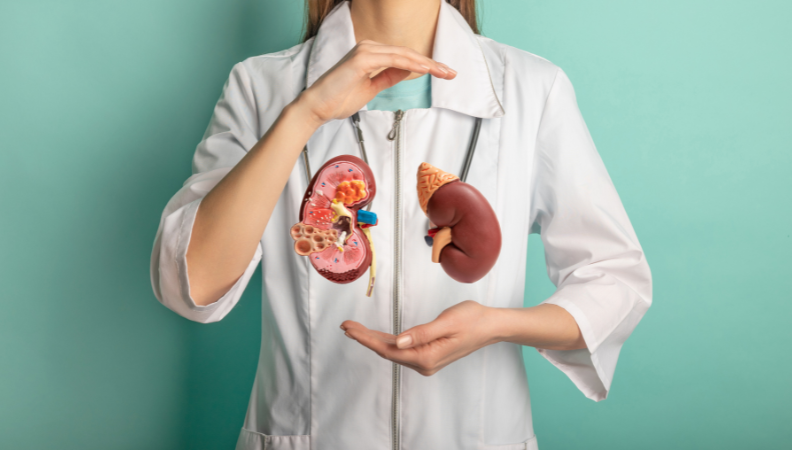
[333, 228]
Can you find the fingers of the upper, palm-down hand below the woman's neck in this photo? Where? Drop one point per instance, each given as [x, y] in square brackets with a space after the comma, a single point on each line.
[373, 56]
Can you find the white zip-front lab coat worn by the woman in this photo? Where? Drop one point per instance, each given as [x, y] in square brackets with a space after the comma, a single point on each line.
[535, 163]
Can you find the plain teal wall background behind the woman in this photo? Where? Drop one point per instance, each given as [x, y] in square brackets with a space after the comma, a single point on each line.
[103, 102]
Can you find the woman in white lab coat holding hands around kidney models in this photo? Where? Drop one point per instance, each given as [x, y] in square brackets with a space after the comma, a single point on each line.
[455, 378]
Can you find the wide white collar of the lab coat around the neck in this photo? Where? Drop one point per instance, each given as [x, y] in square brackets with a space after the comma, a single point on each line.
[477, 87]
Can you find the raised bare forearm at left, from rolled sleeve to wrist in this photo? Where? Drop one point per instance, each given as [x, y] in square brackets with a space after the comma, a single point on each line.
[232, 217]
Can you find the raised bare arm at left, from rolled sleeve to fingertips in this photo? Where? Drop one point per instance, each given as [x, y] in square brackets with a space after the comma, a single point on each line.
[232, 217]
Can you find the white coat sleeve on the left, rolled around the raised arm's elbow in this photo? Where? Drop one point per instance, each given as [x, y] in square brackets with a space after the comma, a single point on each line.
[230, 134]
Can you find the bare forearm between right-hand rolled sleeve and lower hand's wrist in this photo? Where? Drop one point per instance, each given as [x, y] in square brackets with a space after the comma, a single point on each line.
[543, 326]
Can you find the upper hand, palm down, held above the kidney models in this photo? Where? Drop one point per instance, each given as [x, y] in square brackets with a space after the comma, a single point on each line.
[359, 77]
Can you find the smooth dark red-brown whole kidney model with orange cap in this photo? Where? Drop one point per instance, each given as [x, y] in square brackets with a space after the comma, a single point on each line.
[466, 240]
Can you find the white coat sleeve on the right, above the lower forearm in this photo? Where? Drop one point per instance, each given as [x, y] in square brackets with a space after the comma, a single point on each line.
[591, 250]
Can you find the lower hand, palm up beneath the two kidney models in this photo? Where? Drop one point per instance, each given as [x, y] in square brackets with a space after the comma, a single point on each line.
[457, 332]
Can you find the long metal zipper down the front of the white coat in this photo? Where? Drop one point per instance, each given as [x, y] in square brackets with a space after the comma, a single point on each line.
[395, 135]
